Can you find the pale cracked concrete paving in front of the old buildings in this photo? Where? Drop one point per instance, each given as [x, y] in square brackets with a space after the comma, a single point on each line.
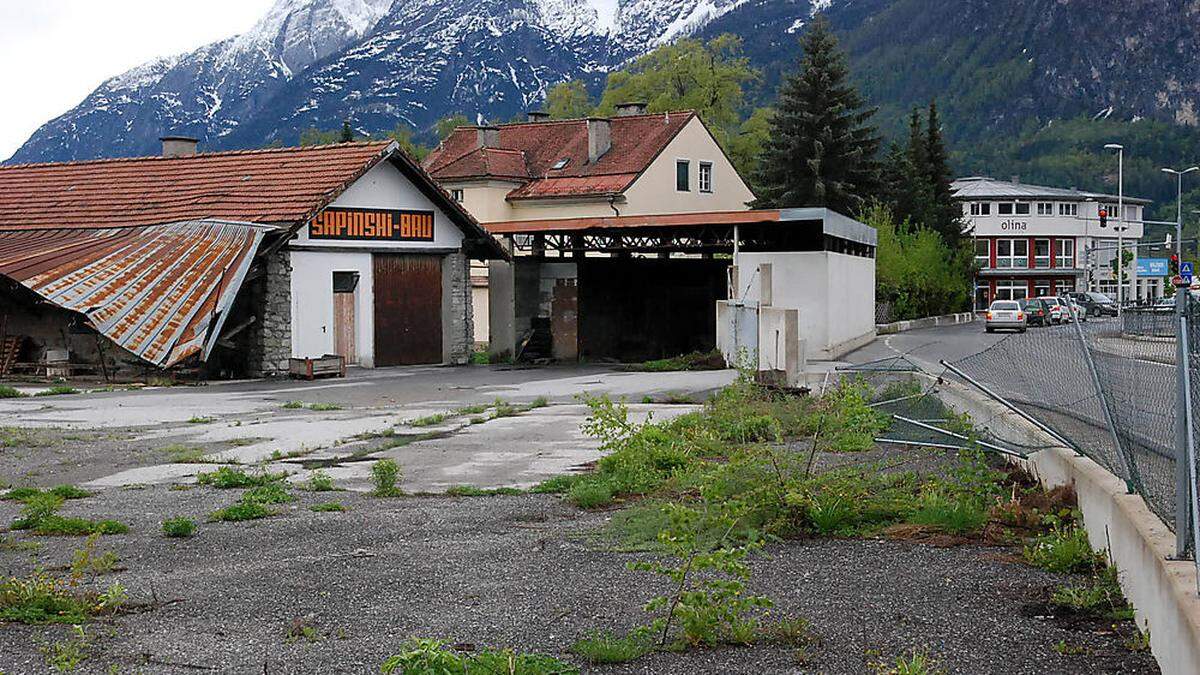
[481, 426]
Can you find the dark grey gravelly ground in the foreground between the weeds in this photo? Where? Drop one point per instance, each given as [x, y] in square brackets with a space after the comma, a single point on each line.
[514, 571]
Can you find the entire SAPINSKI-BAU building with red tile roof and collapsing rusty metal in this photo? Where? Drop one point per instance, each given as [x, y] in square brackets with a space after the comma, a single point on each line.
[236, 262]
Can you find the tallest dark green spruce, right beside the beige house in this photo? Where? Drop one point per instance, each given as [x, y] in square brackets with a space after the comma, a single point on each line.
[823, 147]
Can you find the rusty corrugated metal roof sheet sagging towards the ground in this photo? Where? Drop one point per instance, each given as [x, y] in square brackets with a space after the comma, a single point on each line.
[163, 291]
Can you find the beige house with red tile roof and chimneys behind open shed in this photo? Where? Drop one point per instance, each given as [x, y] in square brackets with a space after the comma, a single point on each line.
[632, 165]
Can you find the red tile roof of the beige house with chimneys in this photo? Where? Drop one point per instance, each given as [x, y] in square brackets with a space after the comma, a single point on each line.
[637, 142]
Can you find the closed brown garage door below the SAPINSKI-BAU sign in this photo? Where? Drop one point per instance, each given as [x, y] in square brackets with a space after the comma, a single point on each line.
[407, 309]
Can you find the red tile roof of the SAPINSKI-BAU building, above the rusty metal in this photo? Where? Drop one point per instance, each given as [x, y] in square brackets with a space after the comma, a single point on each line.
[281, 187]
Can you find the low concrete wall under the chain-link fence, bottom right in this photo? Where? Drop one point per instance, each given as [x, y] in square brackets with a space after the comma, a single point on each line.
[1163, 592]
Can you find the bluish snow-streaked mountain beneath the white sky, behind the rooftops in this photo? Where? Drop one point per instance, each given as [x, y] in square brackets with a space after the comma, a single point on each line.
[379, 63]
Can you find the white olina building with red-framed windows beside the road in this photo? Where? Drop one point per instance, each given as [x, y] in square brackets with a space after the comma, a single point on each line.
[1036, 241]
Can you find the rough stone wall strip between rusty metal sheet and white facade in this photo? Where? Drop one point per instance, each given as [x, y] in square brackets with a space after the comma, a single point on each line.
[271, 337]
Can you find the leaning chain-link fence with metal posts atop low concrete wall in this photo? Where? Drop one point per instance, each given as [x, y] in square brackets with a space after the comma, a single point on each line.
[1111, 390]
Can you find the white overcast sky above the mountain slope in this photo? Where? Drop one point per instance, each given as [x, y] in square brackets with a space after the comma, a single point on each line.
[53, 53]
